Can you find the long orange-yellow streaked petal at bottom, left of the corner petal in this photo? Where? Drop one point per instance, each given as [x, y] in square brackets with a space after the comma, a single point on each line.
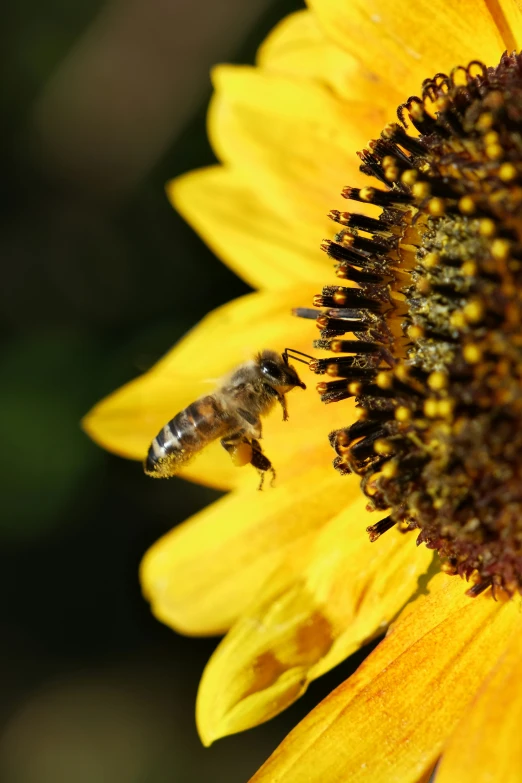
[388, 723]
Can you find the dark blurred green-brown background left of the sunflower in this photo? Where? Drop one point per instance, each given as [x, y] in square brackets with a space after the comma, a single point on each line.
[103, 102]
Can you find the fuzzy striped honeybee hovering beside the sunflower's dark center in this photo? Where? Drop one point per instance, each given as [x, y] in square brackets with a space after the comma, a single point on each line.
[232, 413]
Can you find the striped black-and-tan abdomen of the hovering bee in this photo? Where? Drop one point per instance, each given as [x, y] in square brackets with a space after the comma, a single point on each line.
[184, 435]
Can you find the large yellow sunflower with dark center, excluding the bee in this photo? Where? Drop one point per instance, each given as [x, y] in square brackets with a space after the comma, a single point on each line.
[432, 255]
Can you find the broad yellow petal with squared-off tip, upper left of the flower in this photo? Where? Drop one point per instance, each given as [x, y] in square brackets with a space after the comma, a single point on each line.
[292, 137]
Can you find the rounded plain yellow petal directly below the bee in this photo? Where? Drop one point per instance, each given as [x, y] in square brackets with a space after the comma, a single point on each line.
[201, 576]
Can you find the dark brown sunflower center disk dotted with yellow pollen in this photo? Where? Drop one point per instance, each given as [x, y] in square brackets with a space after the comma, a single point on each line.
[434, 323]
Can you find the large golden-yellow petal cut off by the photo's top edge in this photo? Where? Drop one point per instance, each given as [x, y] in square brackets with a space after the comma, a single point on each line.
[407, 43]
